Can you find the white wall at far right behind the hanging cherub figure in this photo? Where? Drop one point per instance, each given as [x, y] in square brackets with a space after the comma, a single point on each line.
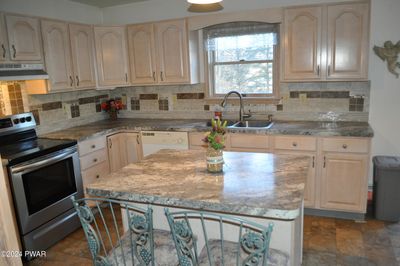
[385, 88]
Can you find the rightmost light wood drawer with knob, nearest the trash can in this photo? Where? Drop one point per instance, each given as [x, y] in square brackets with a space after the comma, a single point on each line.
[345, 145]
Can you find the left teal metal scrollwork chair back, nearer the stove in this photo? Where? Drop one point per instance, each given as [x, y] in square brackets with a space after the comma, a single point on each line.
[108, 244]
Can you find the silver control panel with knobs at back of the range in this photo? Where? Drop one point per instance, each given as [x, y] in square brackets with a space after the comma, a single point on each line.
[16, 122]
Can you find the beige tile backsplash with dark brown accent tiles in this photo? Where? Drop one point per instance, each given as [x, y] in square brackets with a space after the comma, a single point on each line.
[332, 101]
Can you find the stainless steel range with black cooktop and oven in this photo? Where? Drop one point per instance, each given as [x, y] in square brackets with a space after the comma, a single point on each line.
[44, 174]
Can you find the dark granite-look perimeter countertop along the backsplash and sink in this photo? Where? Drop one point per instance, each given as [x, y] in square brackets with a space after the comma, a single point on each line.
[312, 128]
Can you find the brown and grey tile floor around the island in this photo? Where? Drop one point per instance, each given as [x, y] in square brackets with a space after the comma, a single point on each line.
[327, 241]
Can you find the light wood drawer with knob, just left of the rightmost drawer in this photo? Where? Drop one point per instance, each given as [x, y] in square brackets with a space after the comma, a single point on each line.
[296, 143]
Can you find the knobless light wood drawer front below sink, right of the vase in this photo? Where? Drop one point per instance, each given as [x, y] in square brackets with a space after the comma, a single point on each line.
[249, 141]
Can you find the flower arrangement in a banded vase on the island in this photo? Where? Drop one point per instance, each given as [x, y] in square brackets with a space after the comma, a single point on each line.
[214, 141]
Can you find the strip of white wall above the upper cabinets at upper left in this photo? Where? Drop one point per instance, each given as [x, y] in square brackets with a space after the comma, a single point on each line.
[58, 9]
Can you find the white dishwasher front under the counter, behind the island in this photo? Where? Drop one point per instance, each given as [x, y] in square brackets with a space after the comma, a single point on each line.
[153, 141]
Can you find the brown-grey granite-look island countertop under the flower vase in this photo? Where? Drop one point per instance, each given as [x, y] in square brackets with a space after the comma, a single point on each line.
[256, 184]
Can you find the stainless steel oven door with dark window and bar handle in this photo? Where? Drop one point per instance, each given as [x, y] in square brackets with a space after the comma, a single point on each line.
[42, 187]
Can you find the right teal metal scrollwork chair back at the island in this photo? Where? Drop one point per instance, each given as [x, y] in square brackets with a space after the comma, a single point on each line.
[227, 240]
